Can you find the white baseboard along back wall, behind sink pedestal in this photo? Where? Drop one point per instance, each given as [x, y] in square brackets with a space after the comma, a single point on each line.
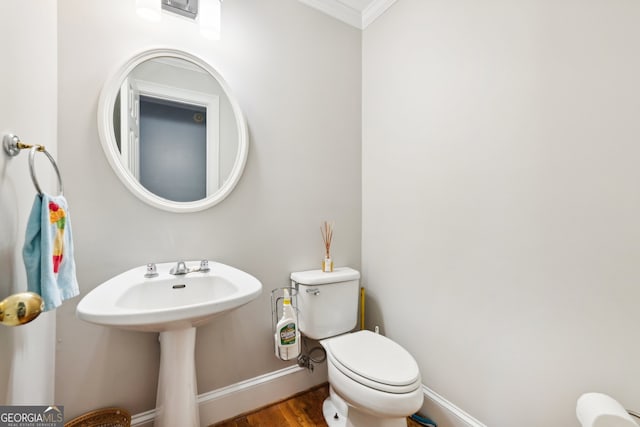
[245, 396]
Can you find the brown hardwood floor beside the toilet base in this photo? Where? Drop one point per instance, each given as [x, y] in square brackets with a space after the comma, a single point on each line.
[302, 410]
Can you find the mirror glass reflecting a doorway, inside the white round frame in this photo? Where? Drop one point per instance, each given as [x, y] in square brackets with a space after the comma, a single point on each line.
[167, 122]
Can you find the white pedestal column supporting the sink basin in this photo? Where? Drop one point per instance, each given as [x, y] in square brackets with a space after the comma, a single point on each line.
[177, 402]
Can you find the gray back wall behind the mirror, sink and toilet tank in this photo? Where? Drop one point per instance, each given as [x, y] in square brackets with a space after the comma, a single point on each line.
[296, 73]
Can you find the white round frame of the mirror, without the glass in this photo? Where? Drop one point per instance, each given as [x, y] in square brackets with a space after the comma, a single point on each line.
[106, 105]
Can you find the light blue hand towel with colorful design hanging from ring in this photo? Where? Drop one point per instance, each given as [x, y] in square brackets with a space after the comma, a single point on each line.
[48, 251]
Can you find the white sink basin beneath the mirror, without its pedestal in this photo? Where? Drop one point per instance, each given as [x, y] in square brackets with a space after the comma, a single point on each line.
[166, 302]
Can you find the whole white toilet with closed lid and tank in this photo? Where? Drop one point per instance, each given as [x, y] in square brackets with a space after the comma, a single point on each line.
[373, 381]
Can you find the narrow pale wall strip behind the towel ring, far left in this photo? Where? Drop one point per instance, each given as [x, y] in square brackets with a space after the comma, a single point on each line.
[27, 108]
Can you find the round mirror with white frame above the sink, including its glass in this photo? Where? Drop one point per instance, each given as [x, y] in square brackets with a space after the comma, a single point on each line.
[172, 131]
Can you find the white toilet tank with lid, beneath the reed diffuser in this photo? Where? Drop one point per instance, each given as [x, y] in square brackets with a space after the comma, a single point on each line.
[327, 302]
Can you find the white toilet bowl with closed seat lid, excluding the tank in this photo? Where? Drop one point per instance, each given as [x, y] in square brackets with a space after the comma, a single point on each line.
[376, 378]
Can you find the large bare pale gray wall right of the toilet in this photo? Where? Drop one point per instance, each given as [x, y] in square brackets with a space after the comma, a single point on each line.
[501, 230]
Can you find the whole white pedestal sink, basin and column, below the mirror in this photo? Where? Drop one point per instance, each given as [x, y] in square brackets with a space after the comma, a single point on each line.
[172, 305]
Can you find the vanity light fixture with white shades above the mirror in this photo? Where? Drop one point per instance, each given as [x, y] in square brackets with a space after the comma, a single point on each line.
[205, 12]
